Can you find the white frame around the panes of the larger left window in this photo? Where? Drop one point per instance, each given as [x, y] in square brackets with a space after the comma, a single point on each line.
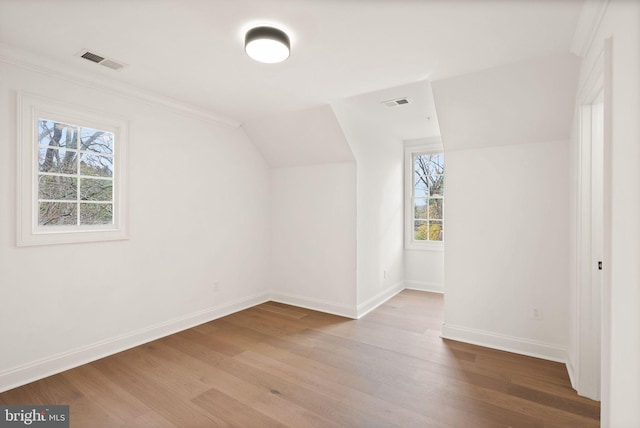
[29, 232]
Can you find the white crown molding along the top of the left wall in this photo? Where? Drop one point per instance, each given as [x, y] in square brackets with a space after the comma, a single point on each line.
[49, 67]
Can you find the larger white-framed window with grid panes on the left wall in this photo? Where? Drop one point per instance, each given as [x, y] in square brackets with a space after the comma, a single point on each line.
[71, 174]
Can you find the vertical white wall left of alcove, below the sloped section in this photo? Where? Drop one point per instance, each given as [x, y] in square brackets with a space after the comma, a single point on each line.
[312, 253]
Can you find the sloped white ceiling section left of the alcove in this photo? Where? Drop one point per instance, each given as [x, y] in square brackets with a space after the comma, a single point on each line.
[306, 137]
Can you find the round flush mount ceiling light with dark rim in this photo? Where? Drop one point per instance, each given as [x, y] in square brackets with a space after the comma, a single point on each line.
[267, 44]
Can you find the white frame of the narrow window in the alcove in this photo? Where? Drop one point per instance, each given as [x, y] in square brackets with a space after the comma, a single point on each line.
[426, 145]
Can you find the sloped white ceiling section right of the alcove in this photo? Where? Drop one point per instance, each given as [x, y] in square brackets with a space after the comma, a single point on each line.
[524, 102]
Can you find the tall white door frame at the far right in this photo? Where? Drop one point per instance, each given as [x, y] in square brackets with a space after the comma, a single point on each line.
[593, 230]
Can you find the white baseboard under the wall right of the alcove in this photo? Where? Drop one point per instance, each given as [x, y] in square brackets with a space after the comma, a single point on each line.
[517, 345]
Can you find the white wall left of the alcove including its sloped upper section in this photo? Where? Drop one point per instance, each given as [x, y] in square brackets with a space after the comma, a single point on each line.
[312, 245]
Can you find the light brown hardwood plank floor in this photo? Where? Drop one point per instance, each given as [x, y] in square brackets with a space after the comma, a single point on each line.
[276, 365]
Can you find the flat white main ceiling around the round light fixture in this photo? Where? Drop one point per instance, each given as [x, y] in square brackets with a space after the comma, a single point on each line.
[192, 50]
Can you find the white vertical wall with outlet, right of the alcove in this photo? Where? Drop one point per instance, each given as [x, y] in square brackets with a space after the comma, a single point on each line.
[506, 247]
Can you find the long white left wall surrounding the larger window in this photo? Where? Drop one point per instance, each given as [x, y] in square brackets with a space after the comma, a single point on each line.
[199, 198]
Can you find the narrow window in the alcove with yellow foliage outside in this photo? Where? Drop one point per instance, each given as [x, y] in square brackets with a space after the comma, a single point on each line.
[424, 196]
